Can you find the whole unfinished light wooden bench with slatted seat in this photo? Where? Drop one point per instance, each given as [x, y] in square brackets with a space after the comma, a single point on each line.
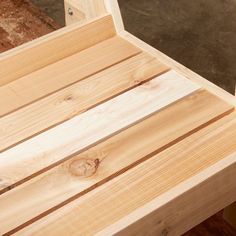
[101, 134]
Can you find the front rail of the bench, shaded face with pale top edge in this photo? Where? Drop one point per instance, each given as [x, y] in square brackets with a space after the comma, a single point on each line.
[176, 213]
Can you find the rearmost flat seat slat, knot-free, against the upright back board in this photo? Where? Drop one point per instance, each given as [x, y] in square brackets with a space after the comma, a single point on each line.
[63, 73]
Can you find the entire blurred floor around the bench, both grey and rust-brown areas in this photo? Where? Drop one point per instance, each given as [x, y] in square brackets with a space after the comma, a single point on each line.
[199, 34]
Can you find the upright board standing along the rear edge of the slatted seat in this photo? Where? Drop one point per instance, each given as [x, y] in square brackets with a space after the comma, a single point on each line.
[51, 48]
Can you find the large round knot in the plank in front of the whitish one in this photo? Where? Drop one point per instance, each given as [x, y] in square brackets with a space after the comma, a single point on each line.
[84, 167]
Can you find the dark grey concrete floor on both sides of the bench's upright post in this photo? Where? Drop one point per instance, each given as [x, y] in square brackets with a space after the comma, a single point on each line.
[200, 34]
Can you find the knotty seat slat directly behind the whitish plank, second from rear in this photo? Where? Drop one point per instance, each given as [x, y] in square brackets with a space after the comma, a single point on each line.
[75, 99]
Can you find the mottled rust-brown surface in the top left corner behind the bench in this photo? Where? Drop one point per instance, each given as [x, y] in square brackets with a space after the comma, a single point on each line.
[21, 21]
